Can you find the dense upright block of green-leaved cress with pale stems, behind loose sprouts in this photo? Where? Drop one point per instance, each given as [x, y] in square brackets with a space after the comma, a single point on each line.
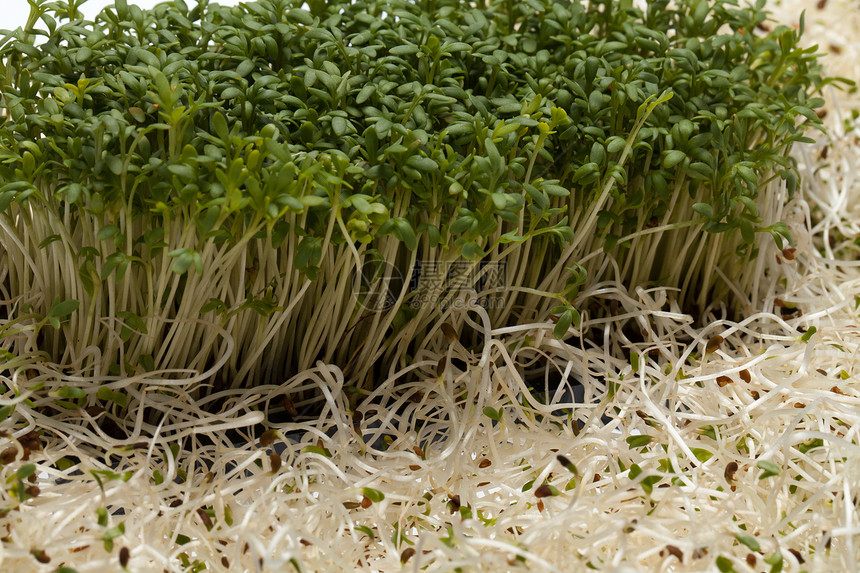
[205, 168]
